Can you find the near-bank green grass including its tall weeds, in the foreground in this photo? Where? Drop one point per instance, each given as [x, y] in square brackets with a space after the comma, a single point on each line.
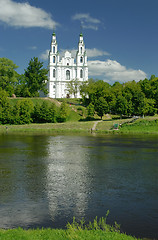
[97, 230]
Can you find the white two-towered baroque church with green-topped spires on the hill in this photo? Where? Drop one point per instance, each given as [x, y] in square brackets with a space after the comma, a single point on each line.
[66, 69]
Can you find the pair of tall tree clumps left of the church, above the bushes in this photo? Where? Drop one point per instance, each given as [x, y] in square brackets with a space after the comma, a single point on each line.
[28, 84]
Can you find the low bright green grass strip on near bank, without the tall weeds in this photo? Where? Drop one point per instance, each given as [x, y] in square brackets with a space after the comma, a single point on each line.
[58, 234]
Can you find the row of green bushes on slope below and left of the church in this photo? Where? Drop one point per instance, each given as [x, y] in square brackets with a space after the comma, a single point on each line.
[25, 112]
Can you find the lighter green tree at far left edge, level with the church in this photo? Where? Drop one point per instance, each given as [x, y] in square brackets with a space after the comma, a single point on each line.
[8, 75]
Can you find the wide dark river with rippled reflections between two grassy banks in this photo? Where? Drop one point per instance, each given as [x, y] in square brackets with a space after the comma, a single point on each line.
[45, 180]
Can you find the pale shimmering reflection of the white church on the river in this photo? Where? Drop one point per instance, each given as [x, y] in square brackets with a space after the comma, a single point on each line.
[68, 177]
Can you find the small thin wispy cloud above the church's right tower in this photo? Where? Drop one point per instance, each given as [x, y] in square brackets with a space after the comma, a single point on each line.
[87, 21]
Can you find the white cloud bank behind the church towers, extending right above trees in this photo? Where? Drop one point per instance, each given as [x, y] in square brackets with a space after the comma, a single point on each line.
[109, 70]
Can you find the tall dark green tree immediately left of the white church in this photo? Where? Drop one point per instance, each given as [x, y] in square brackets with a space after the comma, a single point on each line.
[36, 77]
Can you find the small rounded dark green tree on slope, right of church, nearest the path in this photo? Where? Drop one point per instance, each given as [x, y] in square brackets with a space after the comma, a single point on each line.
[101, 107]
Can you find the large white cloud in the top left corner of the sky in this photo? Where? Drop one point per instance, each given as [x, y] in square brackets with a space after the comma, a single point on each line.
[24, 15]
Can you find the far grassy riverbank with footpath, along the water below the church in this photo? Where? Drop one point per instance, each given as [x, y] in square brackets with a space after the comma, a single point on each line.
[147, 125]
